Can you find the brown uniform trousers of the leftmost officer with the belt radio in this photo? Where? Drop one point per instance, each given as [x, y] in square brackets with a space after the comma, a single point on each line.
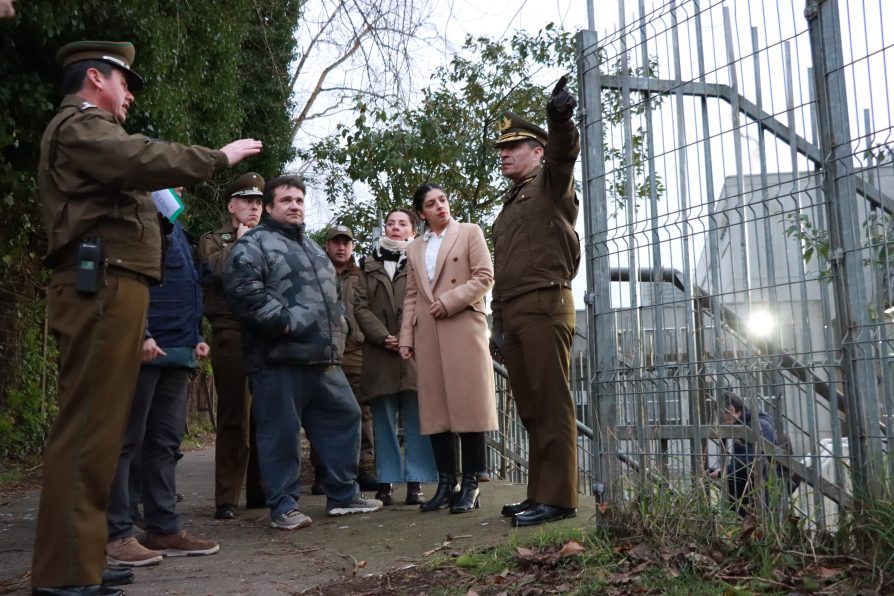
[100, 338]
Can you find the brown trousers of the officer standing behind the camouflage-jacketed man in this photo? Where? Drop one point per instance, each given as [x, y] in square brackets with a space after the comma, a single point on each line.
[234, 454]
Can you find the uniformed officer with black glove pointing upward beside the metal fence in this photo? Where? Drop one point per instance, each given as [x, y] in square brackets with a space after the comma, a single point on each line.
[536, 255]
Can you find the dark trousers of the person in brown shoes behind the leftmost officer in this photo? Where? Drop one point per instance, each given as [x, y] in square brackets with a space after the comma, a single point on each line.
[154, 432]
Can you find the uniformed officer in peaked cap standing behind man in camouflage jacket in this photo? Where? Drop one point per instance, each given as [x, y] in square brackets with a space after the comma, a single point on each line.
[235, 453]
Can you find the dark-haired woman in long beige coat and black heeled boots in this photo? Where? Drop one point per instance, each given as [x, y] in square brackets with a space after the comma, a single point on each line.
[444, 326]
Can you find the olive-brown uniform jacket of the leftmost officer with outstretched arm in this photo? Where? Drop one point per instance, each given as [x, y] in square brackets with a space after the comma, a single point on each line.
[94, 180]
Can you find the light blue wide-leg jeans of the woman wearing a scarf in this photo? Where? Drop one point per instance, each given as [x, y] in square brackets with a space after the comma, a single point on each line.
[417, 462]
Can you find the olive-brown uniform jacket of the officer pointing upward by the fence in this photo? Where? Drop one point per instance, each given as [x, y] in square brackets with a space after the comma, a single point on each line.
[535, 244]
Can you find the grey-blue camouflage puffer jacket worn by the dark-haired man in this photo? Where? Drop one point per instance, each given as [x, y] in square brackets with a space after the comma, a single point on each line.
[284, 288]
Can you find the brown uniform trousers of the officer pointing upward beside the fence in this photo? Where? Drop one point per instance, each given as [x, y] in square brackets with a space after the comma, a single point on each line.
[538, 328]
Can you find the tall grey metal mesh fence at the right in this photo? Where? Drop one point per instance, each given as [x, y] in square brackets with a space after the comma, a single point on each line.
[738, 182]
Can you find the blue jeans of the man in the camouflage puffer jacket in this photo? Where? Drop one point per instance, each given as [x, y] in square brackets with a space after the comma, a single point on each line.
[285, 398]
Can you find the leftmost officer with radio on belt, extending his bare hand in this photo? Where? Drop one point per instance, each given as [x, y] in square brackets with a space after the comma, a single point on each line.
[104, 249]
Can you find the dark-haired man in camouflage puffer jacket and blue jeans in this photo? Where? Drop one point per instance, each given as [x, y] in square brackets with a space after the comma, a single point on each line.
[285, 289]
